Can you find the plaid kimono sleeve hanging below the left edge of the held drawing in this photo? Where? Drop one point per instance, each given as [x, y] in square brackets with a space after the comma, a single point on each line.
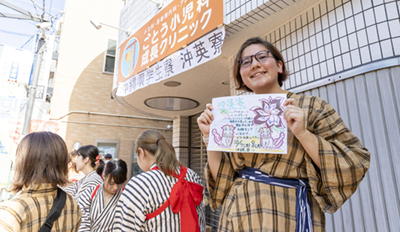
[220, 187]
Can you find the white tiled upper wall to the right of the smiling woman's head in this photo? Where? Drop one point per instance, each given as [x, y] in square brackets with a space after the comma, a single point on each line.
[337, 35]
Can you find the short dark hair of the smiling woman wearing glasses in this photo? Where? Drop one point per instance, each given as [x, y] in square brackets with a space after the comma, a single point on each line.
[275, 53]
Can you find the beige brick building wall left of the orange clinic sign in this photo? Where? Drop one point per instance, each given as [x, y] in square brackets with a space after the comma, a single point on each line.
[80, 84]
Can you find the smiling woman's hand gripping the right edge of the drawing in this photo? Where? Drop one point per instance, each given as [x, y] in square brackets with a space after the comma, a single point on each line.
[295, 118]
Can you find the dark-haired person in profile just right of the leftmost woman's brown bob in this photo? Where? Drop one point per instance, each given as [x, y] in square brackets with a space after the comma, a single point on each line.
[86, 163]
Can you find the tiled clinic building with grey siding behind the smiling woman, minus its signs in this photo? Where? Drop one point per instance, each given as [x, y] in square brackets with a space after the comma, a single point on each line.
[346, 52]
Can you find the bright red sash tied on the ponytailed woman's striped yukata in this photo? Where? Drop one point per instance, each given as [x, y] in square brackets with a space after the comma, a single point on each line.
[184, 198]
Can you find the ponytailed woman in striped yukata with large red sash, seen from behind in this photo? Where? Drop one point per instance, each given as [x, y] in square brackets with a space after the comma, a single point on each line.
[166, 197]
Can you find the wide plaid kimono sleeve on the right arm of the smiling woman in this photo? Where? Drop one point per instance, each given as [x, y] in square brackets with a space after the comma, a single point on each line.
[344, 159]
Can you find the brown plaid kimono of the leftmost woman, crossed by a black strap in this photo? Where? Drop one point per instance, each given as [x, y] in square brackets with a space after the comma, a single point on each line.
[28, 211]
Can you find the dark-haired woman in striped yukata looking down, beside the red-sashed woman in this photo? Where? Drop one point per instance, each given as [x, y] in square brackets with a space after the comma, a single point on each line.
[99, 203]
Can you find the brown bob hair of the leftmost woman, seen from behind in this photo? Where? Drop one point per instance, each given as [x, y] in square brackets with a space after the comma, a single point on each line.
[42, 157]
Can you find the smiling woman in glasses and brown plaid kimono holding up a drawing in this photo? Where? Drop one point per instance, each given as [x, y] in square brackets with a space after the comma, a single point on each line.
[324, 164]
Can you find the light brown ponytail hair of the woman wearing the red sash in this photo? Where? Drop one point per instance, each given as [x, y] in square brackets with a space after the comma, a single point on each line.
[156, 144]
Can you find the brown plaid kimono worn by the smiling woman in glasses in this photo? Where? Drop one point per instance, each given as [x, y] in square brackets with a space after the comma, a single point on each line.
[253, 206]
